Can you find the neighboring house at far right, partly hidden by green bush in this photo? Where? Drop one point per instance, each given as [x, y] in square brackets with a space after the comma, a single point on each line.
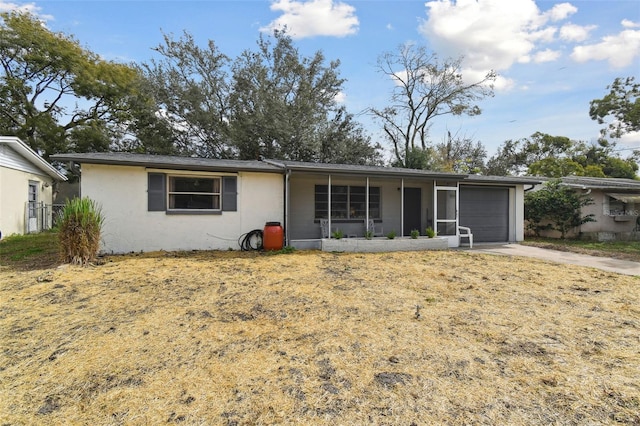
[615, 208]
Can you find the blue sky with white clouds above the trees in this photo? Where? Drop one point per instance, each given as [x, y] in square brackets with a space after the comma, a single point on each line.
[552, 57]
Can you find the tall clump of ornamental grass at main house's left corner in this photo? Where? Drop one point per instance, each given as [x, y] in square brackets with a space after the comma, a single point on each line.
[80, 226]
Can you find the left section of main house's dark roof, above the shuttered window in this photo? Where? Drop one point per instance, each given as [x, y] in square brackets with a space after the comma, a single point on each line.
[167, 162]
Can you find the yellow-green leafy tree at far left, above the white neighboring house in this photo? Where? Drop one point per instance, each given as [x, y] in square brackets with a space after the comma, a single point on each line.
[56, 95]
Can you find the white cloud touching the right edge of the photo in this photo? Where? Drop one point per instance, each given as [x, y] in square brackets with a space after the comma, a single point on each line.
[619, 50]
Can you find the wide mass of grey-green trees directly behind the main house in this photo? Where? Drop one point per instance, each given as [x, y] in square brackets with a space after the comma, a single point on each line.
[270, 102]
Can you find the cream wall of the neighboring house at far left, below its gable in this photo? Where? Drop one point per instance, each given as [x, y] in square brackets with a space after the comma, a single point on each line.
[14, 194]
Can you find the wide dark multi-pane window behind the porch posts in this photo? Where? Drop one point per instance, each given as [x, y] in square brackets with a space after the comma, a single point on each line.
[347, 202]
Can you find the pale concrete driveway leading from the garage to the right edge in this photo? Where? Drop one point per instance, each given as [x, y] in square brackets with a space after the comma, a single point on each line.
[605, 263]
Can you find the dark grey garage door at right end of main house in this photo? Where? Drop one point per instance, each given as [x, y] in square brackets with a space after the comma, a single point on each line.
[485, 209]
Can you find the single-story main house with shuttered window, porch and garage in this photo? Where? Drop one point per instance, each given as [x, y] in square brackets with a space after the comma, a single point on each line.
[179, 203]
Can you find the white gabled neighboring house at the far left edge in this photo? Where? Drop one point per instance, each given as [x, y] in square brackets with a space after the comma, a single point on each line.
[26, 188]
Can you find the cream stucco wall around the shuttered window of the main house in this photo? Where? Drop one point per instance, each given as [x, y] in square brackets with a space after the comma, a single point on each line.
[122, 193]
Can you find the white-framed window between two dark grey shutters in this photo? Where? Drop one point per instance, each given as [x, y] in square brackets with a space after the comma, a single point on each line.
[194, 193]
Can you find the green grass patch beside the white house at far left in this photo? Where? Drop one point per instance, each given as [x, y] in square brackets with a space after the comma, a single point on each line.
[32, 251]
